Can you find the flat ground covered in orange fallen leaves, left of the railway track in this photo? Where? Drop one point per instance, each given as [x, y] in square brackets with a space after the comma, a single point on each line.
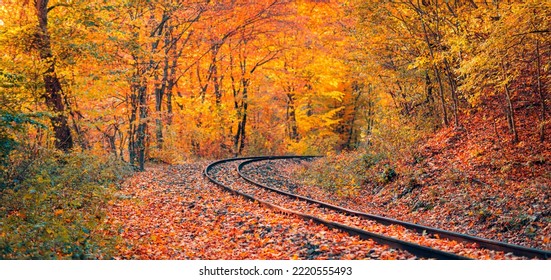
[173, 212]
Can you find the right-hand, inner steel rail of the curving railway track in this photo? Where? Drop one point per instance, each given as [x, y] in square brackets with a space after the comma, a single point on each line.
[482, 242]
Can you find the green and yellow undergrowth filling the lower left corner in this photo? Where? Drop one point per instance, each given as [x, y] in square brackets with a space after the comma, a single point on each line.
[53, 206]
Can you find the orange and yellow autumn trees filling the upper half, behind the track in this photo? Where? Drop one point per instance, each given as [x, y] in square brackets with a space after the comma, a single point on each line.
[167, 80]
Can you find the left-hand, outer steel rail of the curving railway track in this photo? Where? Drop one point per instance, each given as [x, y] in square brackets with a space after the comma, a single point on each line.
[415, 249]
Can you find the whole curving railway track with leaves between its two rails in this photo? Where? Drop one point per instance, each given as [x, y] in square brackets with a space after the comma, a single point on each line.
[422, 241]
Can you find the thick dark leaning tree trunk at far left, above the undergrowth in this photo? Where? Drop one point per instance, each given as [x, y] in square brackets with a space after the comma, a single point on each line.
[53, 91]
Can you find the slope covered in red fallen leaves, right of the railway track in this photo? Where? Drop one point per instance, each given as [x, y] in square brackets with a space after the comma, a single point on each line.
[461, 180]
